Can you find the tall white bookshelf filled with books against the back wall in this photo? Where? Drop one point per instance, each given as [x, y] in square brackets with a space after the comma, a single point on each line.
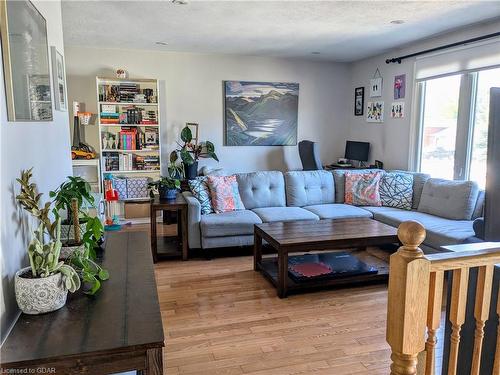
[104, 92]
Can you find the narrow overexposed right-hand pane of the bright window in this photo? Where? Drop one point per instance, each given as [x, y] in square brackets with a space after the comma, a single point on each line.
[486, 80]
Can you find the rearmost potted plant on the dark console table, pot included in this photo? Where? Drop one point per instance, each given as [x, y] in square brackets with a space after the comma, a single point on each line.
[74, 187]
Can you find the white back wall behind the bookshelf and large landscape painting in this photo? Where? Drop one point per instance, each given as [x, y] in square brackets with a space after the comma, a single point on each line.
[193, 92]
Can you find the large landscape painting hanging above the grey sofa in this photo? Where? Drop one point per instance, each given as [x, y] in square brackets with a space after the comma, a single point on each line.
[260, 113]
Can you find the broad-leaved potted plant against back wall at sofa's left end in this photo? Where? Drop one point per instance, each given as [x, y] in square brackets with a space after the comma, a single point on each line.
[190, 153]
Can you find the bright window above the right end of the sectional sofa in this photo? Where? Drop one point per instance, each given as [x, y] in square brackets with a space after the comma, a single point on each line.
[453, 121]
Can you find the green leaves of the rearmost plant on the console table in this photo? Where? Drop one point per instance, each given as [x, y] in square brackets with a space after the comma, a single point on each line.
[75, 187]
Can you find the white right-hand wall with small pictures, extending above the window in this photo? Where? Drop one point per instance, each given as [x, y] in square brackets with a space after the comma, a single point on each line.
[390, 141]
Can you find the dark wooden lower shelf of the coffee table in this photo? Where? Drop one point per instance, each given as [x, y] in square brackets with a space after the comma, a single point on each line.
[269, 269]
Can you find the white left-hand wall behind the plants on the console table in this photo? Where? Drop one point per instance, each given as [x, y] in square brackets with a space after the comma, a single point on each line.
[42, 145]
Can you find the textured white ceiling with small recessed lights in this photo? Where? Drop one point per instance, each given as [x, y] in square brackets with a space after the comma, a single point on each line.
[340, 31]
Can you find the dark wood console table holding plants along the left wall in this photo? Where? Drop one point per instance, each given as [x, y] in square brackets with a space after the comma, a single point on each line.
[120, 329]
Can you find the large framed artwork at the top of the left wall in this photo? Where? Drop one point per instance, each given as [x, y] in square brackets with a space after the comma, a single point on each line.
[25, 61]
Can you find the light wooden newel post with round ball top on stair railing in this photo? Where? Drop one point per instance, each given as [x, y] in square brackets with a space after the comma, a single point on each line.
[407, 301]
